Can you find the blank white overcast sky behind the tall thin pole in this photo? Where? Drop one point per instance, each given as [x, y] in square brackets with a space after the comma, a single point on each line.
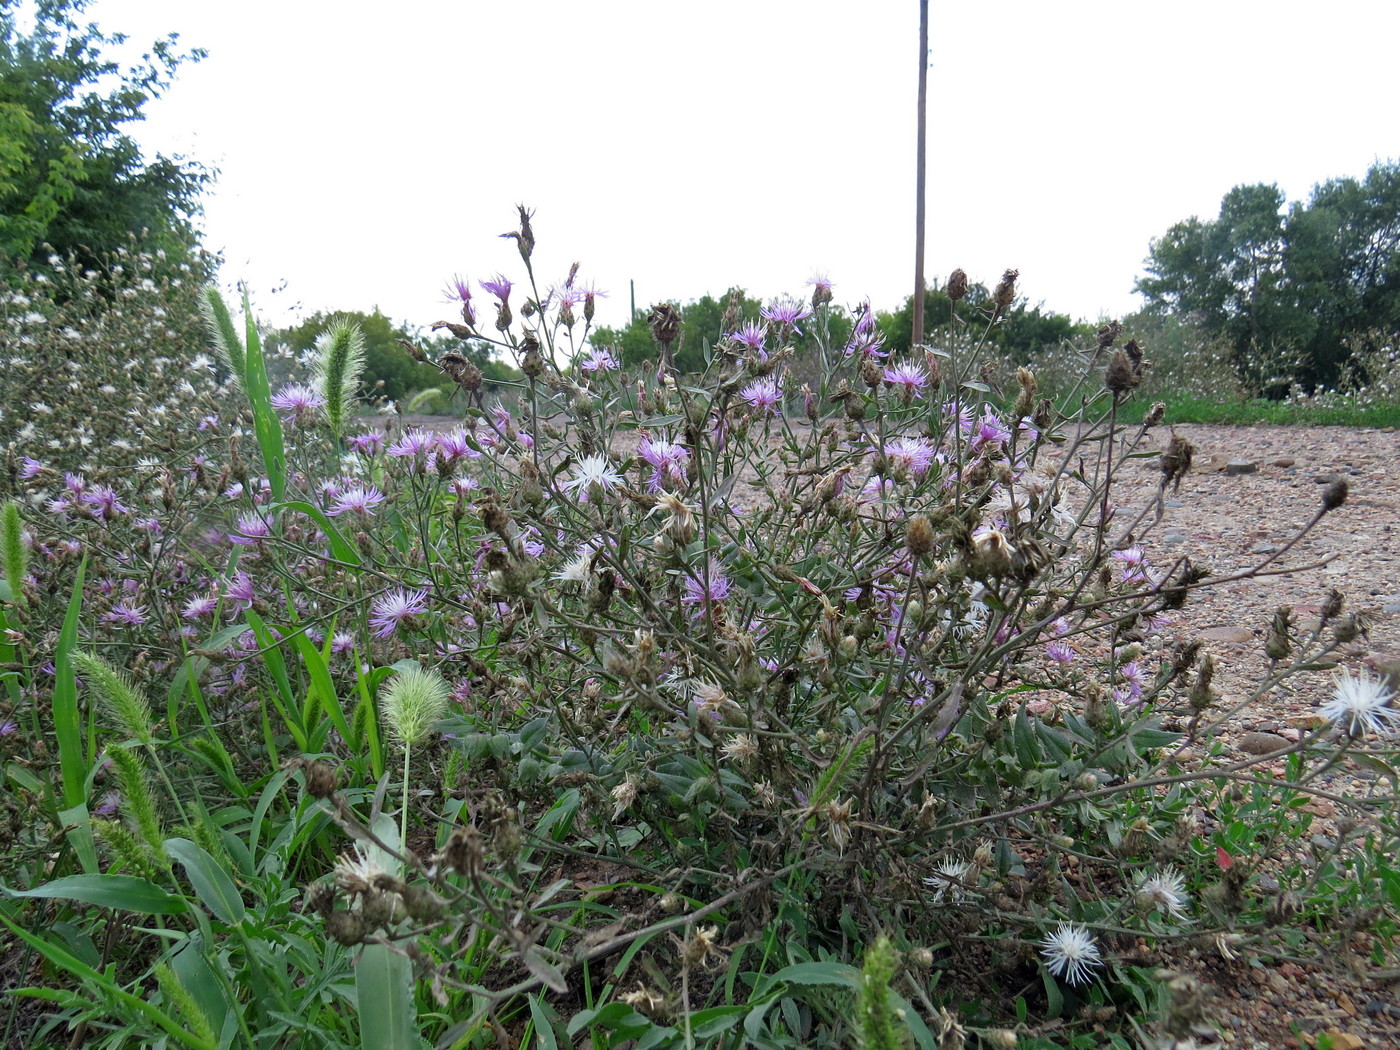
[370, 152]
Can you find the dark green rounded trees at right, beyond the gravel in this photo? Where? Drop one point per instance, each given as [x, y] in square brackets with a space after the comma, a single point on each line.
[1287, 286]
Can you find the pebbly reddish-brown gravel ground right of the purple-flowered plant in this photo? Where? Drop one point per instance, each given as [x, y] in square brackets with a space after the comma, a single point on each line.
[1231, 521]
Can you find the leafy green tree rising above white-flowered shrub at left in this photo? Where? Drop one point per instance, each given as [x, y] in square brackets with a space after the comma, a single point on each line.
[71, 178]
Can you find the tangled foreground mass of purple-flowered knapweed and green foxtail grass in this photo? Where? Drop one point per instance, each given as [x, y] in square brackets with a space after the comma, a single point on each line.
[647, 706]
